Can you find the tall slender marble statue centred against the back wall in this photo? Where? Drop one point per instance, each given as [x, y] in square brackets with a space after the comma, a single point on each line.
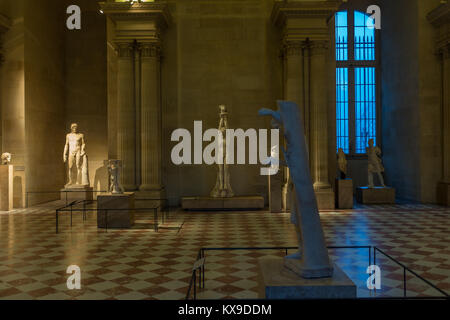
[222, 189]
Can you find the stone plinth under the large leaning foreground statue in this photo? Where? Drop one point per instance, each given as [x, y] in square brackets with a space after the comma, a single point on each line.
[277, 282]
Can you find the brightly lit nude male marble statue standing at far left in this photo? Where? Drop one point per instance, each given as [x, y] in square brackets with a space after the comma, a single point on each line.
[76, 158]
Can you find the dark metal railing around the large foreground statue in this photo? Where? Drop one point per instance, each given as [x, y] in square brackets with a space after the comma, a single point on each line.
[200, 268]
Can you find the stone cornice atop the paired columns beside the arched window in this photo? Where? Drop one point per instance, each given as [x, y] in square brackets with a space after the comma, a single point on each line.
[285, 9]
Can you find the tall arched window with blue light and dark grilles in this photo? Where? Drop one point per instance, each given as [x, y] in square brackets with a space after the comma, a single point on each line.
[356, 81]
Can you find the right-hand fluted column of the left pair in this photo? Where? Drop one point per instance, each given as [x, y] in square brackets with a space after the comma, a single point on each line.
[150, 118]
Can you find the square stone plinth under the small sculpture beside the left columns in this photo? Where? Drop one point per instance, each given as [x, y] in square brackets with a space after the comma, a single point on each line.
[122, 218]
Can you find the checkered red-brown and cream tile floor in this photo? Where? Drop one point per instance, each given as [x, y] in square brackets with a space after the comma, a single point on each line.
[142, 264]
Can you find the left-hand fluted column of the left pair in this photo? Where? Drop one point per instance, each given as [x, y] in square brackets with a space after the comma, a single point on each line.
[126, 117]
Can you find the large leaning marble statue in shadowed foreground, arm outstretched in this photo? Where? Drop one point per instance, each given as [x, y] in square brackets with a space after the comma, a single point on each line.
[312, 260]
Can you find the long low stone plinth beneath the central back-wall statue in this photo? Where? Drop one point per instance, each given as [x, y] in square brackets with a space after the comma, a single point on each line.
[233, 203]
